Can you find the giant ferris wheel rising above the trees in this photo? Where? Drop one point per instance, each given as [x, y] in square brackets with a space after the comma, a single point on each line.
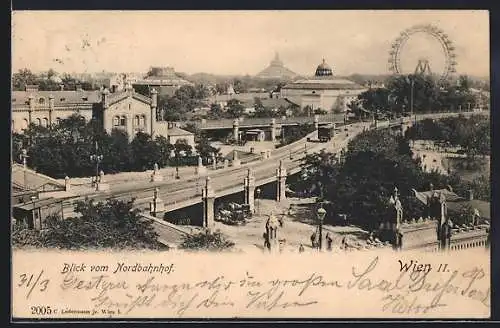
[423, 64]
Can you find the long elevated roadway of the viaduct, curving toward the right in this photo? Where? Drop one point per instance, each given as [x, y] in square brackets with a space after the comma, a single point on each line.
[178, 194]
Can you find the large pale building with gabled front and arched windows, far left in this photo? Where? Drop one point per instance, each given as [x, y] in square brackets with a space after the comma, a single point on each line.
[124, 110]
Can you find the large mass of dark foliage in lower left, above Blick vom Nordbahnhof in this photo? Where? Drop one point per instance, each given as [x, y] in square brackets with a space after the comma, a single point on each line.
[110, 224]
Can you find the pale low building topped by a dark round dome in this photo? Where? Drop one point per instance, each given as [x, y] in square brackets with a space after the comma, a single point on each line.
[323, 91]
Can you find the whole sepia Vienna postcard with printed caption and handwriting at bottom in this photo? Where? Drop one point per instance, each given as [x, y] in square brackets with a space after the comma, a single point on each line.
[157, 157]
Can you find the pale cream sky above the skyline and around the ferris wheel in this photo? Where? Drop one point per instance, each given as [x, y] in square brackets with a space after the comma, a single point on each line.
[242, 42]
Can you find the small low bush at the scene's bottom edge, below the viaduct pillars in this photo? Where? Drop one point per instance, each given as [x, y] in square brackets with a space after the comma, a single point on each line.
[207, 241]
